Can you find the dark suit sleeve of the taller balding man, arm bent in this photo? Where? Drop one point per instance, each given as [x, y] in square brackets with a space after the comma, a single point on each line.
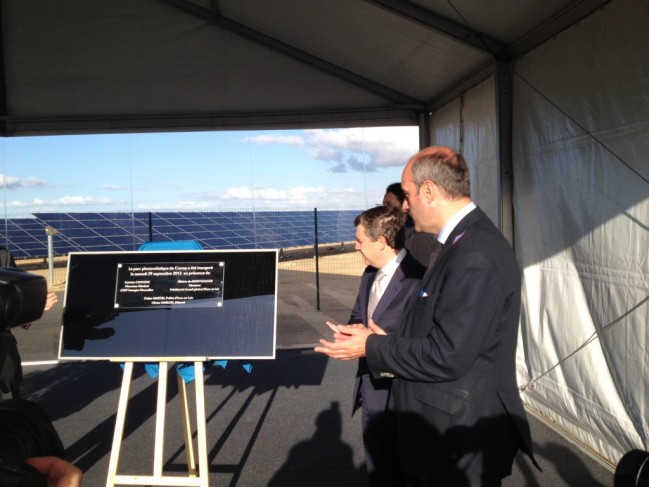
[447, 330]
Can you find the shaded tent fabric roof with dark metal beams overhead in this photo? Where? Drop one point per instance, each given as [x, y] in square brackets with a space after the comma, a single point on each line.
[85, 66]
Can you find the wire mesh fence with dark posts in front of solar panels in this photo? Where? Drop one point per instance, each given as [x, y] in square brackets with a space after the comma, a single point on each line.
[317, 267]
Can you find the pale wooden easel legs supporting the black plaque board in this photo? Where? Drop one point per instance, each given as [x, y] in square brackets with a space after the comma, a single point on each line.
[198, 478]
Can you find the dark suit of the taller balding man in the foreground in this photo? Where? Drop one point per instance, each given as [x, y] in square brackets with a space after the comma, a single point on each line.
[459, 415]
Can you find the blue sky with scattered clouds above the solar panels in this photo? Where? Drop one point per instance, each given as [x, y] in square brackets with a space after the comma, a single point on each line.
[202, 171]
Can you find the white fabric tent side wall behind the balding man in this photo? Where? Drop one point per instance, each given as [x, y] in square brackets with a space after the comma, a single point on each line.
[581, 206]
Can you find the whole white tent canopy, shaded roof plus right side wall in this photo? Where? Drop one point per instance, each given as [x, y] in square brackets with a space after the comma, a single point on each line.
[548, 101]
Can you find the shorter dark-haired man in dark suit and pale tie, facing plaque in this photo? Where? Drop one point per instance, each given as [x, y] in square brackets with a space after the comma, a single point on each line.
[379, 239]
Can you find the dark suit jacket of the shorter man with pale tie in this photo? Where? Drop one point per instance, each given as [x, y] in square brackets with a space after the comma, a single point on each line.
[388, 314]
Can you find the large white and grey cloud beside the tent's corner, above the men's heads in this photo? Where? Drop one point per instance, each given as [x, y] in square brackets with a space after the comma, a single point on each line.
[356, 149]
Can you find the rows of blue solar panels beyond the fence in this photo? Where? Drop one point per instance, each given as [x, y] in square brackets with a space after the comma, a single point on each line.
[26, 237]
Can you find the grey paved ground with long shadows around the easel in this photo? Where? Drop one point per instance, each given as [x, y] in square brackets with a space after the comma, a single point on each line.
[287, 423]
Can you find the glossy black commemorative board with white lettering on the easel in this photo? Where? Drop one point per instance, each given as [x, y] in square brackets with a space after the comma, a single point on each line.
[175, 305]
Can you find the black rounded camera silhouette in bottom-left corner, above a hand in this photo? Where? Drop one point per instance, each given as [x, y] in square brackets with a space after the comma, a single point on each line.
[25, 431]
